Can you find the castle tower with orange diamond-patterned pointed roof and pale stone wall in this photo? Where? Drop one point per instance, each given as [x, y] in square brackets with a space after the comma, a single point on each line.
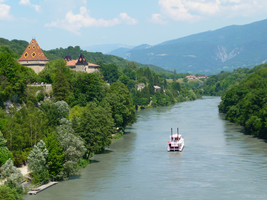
[33, 57]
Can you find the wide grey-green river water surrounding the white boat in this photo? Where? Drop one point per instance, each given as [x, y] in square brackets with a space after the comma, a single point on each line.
[218, 162]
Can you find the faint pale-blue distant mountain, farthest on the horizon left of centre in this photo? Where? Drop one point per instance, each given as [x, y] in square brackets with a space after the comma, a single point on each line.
[105, 48]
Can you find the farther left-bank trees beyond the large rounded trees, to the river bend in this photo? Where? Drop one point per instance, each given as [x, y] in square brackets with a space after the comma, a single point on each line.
[169, 92]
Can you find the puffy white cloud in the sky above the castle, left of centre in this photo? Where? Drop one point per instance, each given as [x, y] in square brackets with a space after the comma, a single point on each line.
[74, 22]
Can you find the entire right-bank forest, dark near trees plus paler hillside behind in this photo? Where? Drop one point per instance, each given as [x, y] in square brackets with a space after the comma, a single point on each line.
[243, 94]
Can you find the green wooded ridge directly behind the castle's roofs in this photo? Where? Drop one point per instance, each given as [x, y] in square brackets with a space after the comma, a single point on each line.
[18, 46]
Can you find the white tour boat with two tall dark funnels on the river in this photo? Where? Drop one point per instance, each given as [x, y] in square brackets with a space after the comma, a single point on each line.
[176, 142]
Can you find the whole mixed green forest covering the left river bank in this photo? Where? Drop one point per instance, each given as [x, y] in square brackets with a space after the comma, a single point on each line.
[56, 133]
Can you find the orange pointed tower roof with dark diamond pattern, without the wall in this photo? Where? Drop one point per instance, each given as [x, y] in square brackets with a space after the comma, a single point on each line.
[33, 52]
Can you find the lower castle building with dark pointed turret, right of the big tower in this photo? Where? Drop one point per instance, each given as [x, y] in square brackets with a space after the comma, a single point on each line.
[81, 65]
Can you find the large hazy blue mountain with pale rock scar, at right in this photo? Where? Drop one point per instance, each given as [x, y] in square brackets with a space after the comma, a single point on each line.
[209, 52]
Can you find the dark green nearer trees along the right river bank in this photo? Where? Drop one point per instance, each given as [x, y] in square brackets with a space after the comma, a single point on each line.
[245, 103]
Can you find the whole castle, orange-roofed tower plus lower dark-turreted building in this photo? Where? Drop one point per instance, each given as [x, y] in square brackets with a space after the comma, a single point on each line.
[34, 58]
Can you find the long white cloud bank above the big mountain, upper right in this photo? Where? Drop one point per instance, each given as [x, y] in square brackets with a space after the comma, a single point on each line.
[194, 10]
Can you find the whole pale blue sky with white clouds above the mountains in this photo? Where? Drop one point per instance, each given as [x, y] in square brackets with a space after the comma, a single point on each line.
[63, 23]
